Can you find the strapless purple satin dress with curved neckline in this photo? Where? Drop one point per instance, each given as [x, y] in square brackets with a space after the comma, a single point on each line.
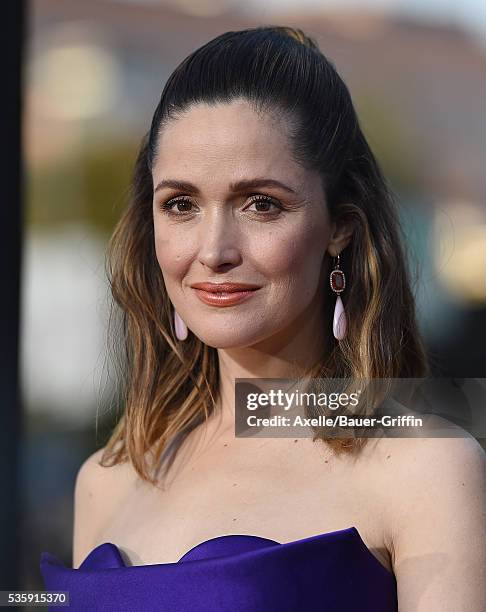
[331, 572]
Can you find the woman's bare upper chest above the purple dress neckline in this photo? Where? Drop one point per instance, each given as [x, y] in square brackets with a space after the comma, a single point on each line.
[278, 490]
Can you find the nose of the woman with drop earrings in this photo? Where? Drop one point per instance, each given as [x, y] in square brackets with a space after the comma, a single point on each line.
[218, 241]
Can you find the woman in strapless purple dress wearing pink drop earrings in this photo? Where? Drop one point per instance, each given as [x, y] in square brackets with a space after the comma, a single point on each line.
[255, 172]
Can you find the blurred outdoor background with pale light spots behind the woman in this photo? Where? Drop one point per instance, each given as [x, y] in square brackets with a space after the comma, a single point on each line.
[92, 76]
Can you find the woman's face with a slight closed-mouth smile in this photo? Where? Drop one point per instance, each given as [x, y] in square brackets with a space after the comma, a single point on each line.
[268, 235]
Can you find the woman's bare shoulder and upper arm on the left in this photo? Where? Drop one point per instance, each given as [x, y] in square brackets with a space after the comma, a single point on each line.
[96, 492]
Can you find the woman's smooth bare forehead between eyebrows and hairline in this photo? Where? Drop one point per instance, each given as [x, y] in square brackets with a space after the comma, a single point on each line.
[226, 139]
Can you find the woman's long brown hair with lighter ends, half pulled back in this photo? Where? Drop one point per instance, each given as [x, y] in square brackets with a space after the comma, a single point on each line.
[168, 387]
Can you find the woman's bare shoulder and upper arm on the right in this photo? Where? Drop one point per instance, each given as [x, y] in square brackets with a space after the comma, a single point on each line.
[437, 521]
